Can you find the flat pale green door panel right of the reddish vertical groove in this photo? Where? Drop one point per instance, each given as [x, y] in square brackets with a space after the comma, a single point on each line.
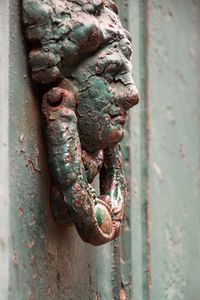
[174, 62]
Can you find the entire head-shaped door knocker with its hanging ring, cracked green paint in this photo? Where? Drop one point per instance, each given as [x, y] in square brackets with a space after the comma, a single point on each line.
[81, 54]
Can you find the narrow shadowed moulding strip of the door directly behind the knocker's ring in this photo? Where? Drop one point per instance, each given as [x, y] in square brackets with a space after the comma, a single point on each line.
[122, 264]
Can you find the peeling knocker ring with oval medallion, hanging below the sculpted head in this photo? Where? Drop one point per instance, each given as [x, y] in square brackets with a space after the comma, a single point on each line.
[98, 219]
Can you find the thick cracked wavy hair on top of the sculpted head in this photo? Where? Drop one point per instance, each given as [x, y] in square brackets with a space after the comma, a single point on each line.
[59, 42]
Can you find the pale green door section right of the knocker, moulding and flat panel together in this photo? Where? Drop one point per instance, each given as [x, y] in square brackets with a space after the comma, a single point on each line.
[166, 144]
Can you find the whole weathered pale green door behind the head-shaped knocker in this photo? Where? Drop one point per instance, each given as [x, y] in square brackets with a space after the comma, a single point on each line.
[158, 256]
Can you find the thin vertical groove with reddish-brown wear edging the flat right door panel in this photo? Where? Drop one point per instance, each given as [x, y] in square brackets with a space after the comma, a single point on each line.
[145, 125]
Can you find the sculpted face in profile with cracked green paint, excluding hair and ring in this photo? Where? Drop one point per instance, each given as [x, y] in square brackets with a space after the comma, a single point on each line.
[104, 98]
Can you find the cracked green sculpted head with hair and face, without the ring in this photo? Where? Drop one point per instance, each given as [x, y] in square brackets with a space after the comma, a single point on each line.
[93, 52]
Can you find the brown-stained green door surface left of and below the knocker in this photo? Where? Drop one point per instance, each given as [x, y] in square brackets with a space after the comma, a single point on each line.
[47, 261]
